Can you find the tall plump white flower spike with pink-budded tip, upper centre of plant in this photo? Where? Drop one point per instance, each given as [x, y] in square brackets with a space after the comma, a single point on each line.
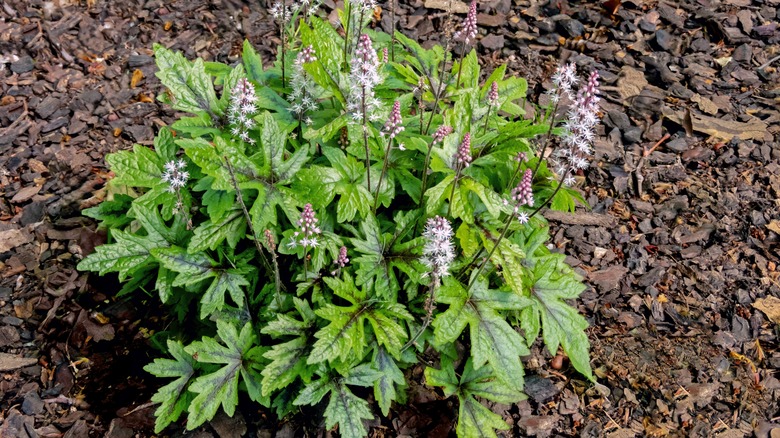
[364, 76]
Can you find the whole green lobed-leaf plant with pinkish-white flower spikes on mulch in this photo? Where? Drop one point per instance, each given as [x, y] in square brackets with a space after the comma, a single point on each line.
[318, 226]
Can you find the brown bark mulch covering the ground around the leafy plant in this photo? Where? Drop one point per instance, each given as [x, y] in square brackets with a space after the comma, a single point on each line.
[680, 247]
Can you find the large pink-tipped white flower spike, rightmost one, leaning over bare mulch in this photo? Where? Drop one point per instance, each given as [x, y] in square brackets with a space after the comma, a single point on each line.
[579, 136]
